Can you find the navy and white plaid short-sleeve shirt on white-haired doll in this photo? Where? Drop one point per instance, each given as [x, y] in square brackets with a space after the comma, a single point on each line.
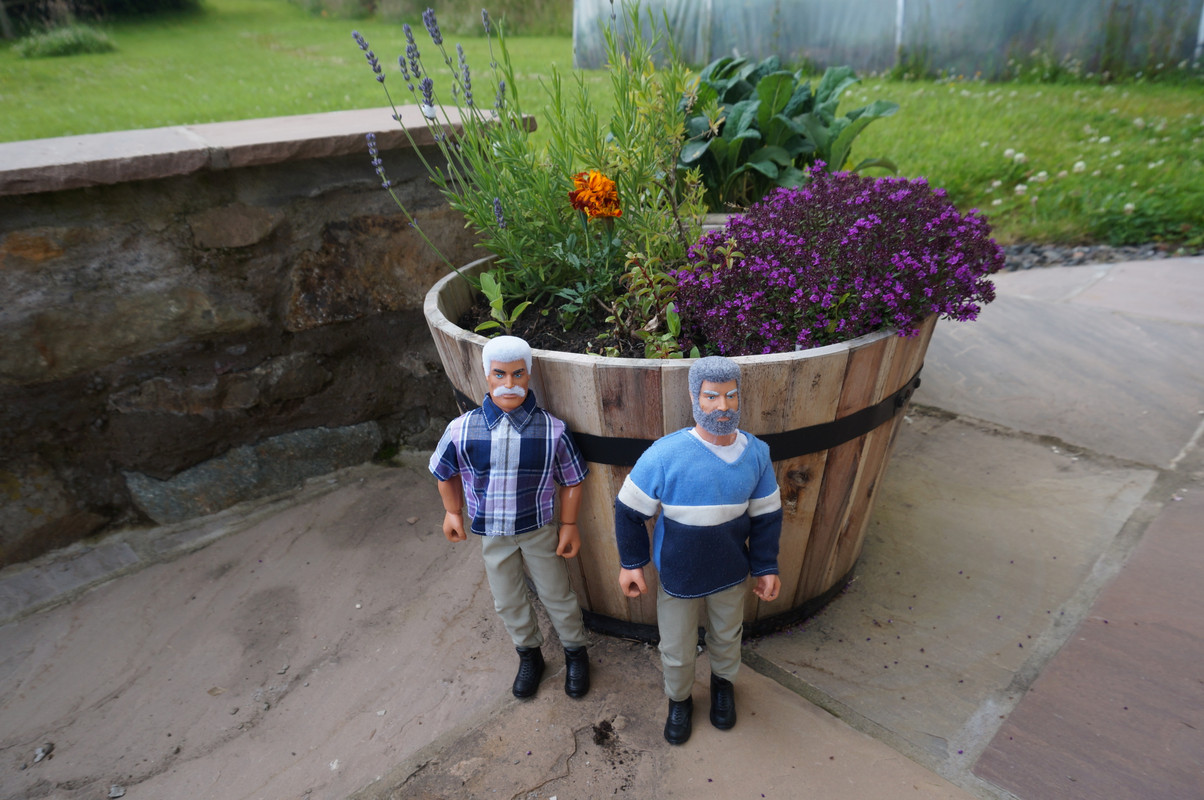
[511, 466]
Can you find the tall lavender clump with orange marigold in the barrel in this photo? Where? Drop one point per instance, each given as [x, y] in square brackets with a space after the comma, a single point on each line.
[560, 219]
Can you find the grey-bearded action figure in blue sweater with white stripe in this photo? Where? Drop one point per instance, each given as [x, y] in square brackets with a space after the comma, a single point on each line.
[721, 520]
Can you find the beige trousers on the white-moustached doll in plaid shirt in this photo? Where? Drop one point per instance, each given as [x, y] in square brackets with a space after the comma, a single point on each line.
[505, 557]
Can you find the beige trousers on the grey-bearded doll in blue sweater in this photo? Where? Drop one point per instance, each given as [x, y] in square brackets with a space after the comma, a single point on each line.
[678, 622]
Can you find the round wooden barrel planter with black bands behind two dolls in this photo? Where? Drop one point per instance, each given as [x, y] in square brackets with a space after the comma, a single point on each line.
[829, 415]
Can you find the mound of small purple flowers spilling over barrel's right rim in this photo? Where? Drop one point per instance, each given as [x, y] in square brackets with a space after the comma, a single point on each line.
[841, 257]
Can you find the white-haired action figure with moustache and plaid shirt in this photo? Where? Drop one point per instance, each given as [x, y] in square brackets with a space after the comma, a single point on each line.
[507, 458]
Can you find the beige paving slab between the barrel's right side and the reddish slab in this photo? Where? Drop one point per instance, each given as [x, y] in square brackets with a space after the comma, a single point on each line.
[977, 558]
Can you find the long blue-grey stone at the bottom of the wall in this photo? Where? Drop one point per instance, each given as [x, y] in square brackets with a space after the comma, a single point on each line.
[252, 472]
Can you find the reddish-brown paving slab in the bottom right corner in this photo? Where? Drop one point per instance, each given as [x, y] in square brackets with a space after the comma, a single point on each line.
[1119, 713]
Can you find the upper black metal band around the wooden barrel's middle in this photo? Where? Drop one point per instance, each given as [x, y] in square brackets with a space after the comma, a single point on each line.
[621, 451]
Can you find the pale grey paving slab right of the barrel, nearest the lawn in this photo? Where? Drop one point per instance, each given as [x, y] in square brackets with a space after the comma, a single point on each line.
[1050, 358]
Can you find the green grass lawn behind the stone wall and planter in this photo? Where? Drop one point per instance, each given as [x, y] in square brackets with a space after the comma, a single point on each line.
[1140, 145]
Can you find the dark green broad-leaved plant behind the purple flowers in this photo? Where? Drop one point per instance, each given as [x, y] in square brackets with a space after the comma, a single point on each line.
[757, 127]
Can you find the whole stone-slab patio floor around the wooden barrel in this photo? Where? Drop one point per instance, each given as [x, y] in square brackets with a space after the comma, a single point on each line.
[1024, 621]
